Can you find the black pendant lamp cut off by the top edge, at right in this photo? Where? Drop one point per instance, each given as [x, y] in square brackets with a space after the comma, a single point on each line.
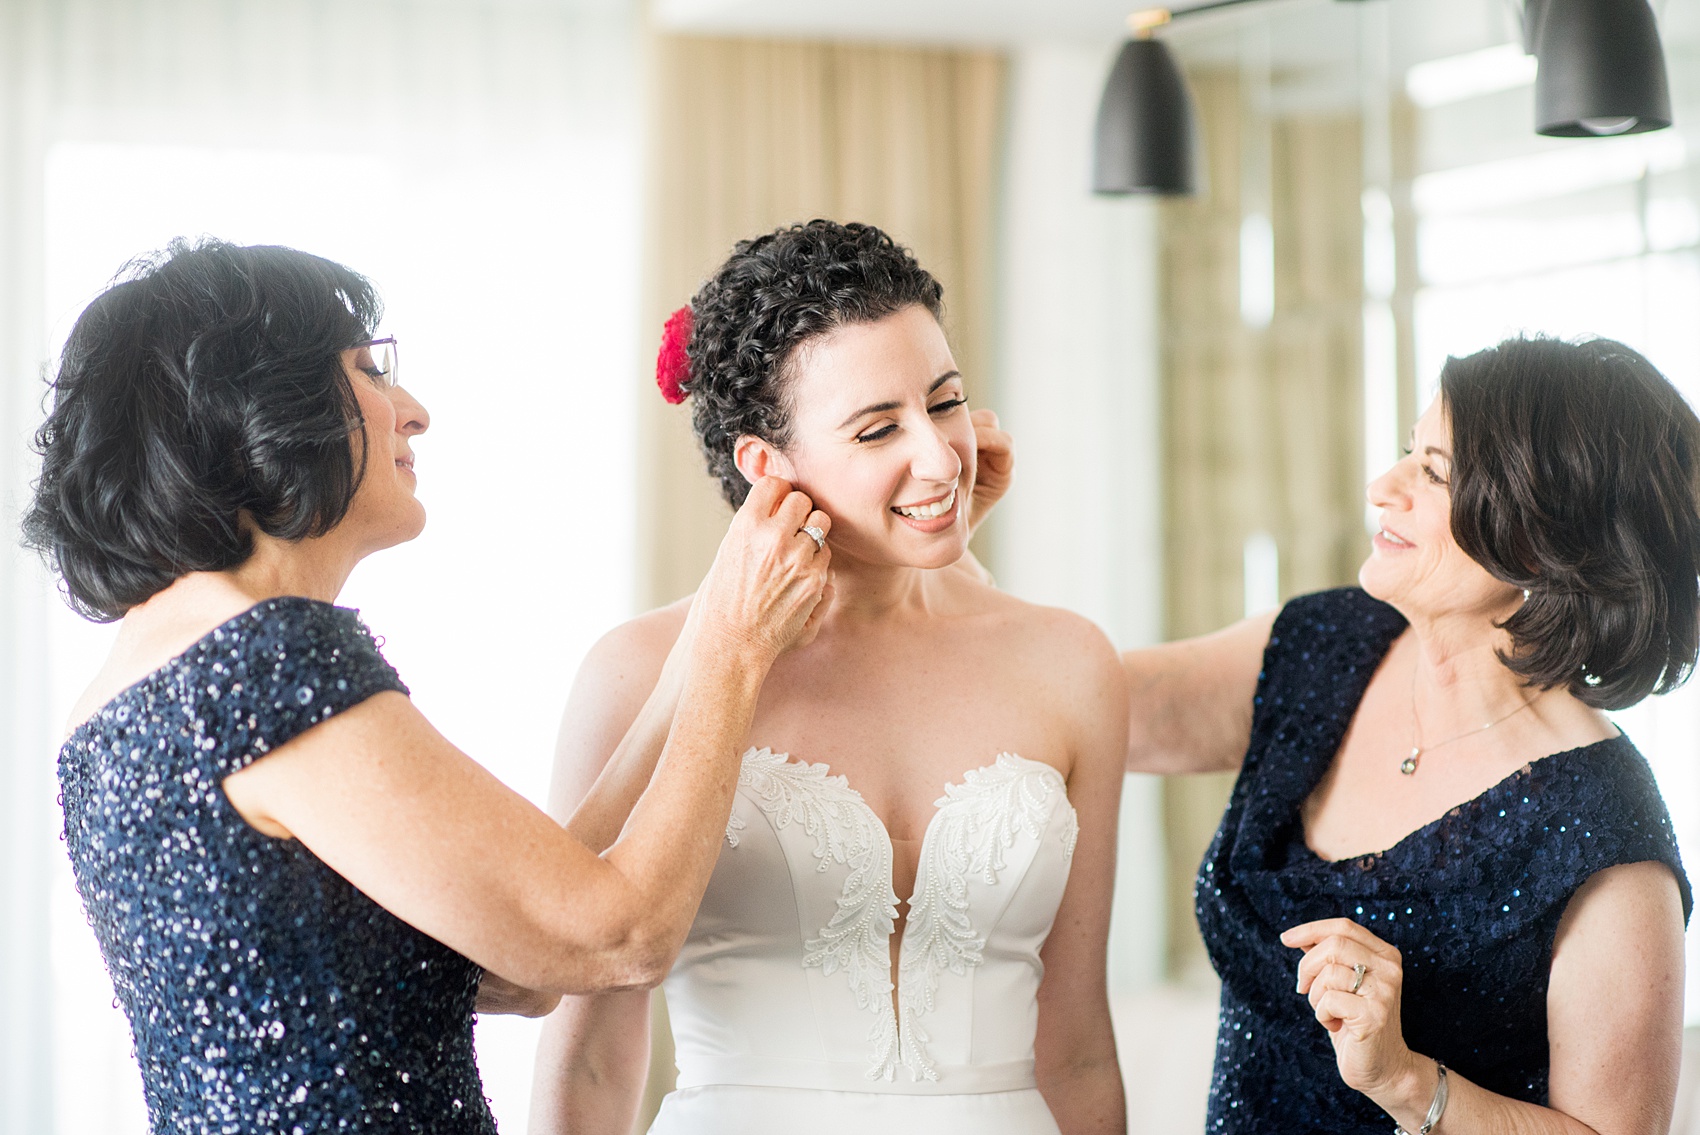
[1601, 67]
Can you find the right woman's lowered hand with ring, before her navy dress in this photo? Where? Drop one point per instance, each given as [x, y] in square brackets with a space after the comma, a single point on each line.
[1364, 1025]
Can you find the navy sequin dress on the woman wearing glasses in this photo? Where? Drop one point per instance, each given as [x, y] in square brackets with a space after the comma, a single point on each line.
[264, 991]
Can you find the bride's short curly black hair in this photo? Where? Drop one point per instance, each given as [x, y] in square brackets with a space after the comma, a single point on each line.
[774, 295]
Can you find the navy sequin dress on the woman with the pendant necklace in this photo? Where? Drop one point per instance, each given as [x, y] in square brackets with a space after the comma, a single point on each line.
[1473, 901]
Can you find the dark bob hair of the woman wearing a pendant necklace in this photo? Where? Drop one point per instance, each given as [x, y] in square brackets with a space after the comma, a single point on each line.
[1577, 475]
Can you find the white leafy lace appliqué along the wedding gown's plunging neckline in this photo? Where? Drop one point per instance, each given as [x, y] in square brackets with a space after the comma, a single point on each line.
[977, 823]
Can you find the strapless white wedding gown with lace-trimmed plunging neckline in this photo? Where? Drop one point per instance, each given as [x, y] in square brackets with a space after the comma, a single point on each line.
[783, 1000]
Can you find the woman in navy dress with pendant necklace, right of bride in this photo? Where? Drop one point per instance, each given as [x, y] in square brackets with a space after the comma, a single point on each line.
[1446, 884]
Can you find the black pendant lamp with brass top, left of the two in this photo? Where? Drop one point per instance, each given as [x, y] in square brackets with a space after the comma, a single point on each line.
[1145, 140]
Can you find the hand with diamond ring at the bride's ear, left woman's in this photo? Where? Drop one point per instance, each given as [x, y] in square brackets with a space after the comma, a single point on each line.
[769, 585]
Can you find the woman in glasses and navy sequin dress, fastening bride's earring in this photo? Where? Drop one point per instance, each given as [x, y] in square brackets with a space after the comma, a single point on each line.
[297, 883]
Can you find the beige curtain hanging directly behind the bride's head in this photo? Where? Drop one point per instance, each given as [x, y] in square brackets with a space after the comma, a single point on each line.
[754, 135]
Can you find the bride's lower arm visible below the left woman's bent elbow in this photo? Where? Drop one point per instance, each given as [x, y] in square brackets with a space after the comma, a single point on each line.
[592, 1066]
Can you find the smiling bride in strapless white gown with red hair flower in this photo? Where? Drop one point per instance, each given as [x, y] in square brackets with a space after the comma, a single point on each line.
[907, 925]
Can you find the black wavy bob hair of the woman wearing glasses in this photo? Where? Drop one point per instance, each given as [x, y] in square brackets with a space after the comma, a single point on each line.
[200, 395]
